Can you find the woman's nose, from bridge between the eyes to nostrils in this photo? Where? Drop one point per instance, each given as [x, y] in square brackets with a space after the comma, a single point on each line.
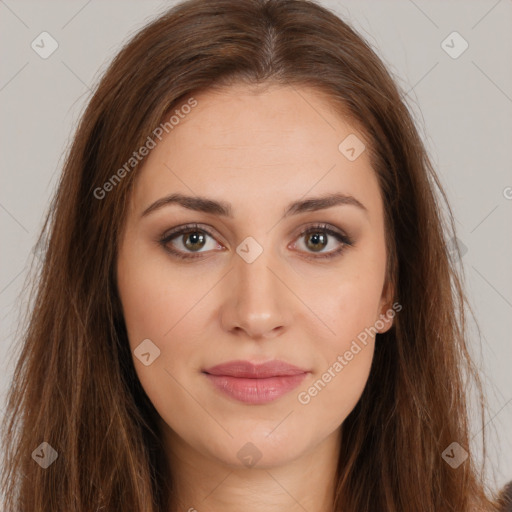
[257, 300]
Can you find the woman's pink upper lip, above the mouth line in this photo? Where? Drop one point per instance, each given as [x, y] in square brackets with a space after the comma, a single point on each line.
[248, 370]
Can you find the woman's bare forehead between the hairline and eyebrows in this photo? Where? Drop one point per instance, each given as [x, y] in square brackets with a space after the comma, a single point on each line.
[269, 145]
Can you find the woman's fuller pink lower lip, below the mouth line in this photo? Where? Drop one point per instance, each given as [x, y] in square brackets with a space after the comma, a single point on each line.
[256, 391]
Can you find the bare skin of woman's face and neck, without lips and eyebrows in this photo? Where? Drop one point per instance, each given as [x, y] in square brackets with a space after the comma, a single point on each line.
[258, 150]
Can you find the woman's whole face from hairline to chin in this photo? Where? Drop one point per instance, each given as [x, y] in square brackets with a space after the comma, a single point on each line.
[262, 277]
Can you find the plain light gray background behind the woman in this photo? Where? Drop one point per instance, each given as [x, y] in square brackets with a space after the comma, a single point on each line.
[463, 108]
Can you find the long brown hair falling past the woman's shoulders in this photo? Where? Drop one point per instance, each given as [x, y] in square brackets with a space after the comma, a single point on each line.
[75, 385]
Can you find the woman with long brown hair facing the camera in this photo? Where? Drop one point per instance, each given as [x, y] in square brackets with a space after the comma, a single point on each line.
[247, 300]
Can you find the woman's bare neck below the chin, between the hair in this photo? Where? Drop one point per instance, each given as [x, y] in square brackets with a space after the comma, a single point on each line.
[206, 484]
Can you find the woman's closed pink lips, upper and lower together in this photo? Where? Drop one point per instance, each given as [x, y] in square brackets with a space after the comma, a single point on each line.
[255, 383]
